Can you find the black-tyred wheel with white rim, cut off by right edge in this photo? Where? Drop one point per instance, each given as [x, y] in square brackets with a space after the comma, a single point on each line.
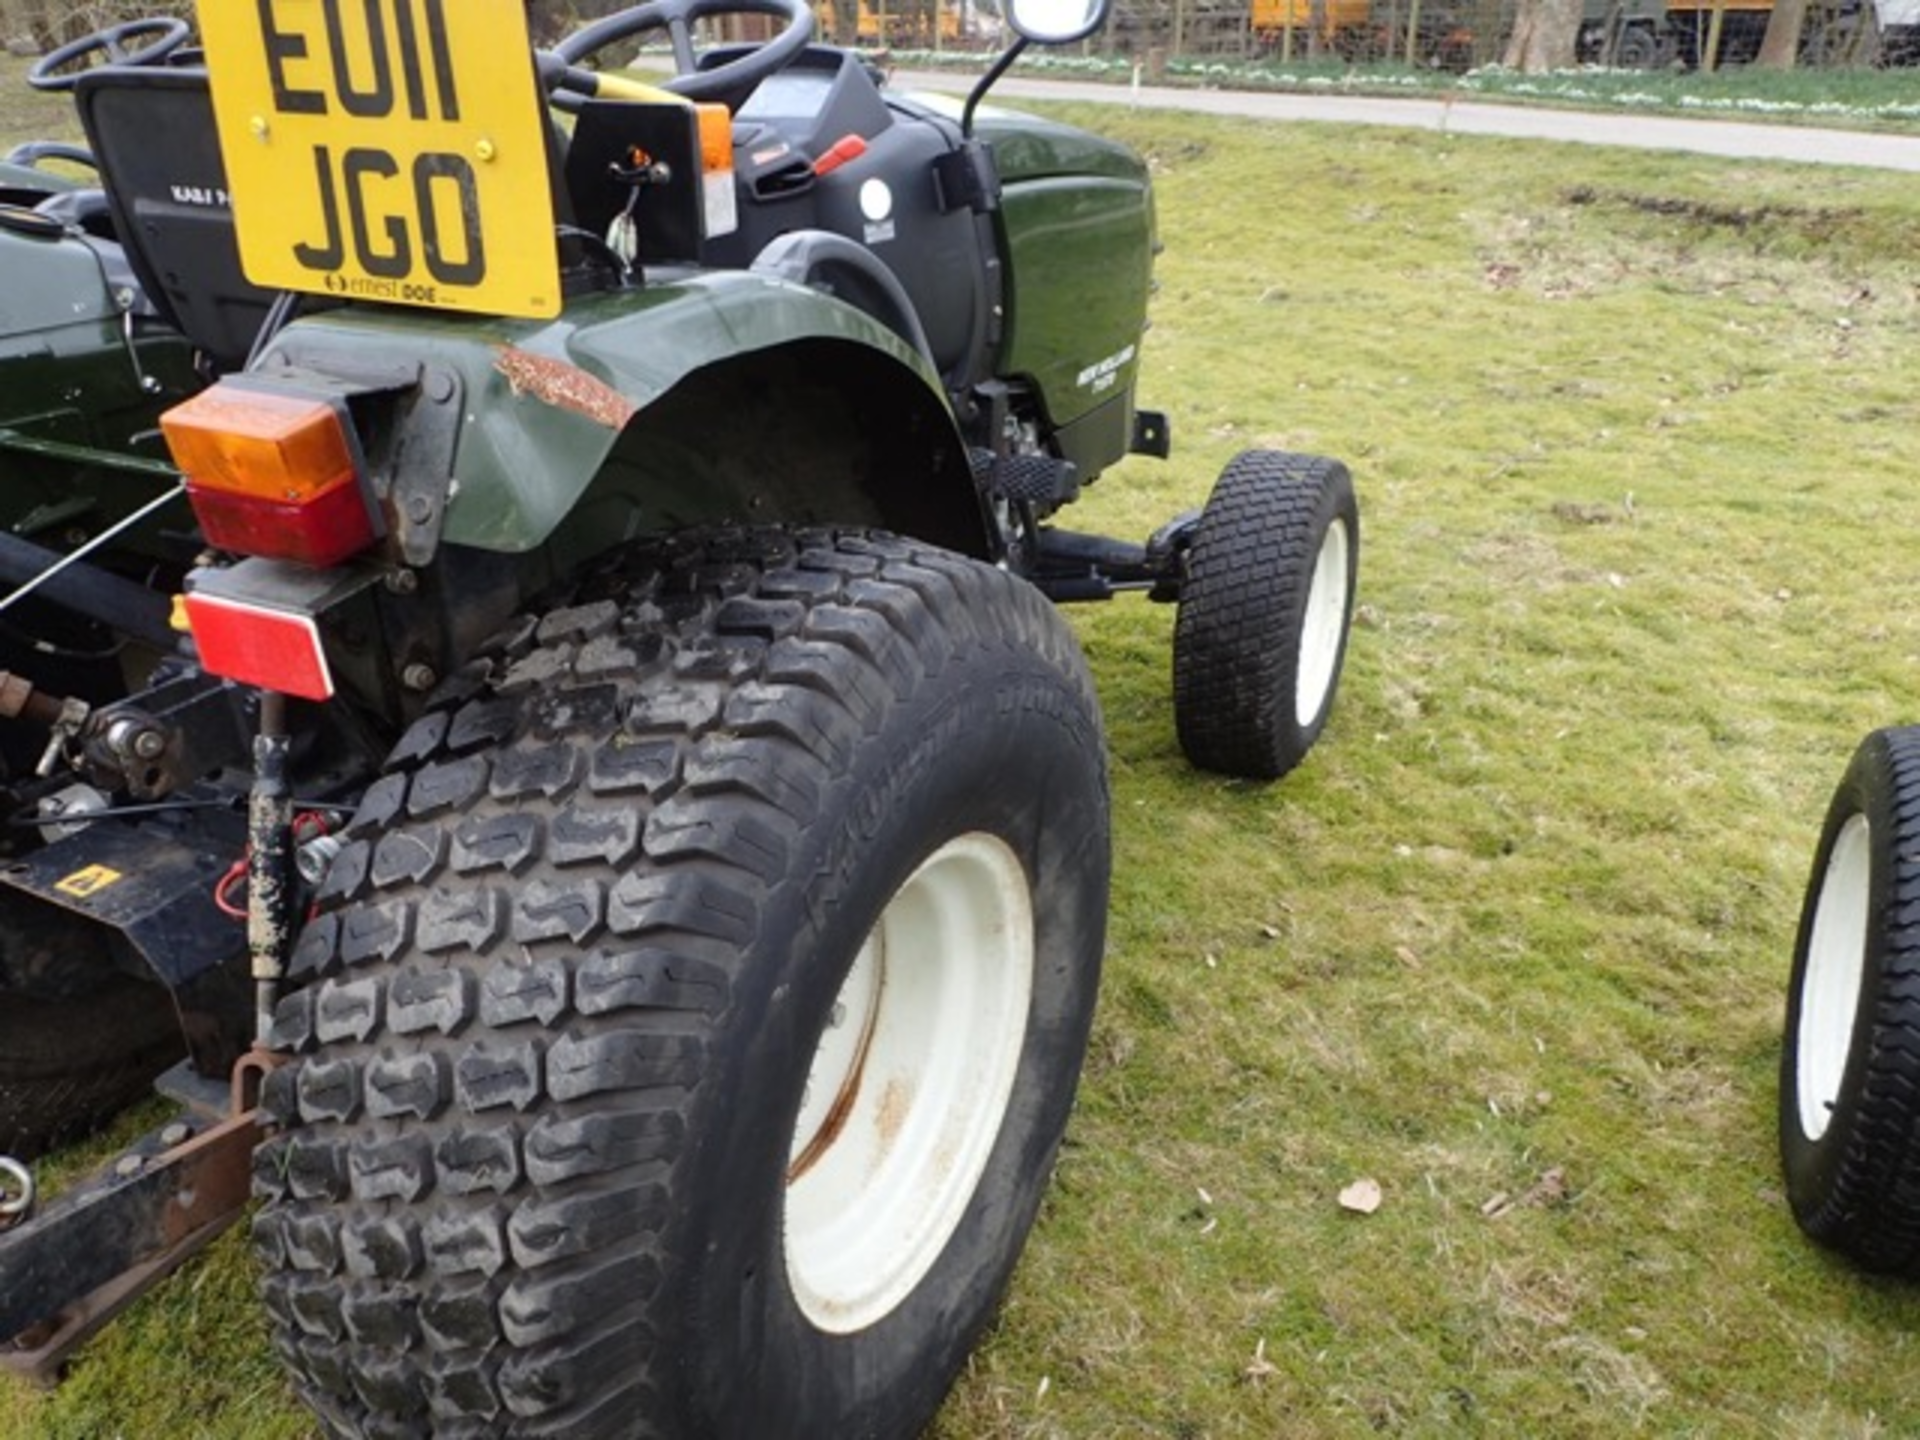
[1850, 1072]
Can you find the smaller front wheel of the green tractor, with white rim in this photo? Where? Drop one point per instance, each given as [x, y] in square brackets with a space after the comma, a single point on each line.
[1264, 615]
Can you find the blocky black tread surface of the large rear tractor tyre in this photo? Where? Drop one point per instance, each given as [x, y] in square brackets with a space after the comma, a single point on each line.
[516, 1061]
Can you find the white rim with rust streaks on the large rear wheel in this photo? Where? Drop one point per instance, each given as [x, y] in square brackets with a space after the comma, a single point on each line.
[909, 1086]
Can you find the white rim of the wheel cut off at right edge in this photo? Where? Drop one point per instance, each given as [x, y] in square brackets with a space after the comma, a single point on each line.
[1831, 984]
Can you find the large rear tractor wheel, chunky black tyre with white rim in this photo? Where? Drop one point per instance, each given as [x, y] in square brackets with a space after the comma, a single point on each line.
[696, 1009]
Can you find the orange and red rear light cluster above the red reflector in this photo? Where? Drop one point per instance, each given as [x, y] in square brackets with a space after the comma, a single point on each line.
[272, 473]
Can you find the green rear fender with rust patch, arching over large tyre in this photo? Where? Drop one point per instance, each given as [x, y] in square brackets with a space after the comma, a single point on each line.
[556, 408]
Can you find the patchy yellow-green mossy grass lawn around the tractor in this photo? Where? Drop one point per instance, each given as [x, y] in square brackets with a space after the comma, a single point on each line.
[1637, 446]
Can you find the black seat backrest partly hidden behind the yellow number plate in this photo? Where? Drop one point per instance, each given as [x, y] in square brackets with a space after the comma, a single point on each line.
[160, 162]
